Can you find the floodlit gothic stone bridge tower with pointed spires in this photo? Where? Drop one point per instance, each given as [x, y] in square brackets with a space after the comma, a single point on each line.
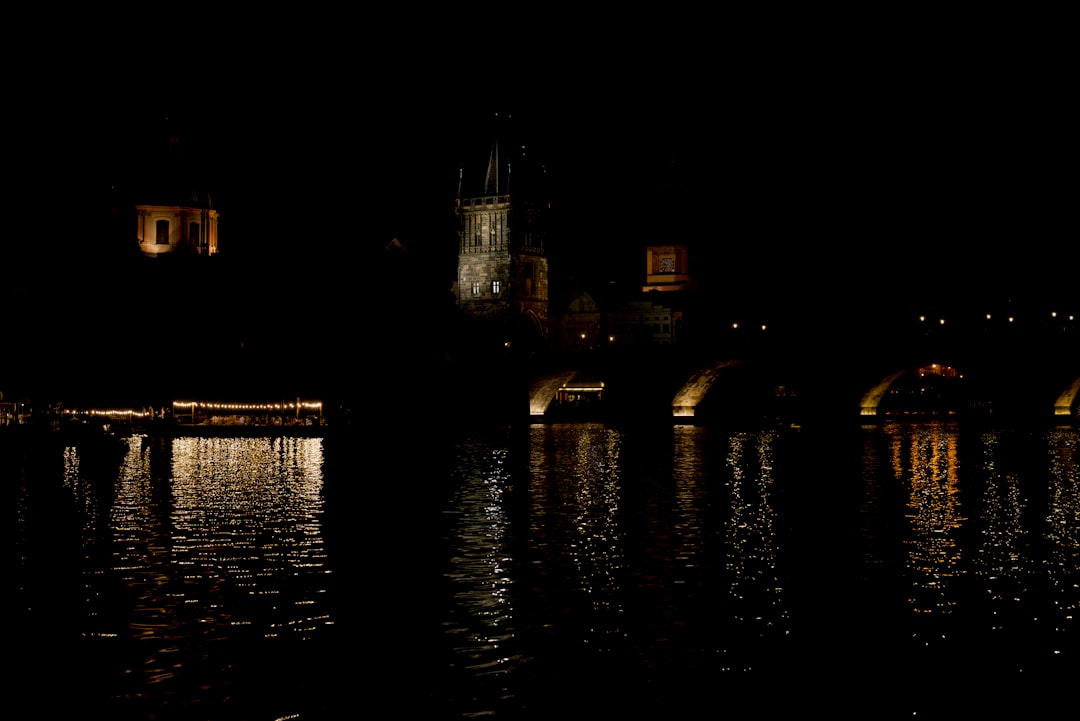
[503, 262]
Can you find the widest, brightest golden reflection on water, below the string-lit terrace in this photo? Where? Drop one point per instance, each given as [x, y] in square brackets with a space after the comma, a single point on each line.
[247, 513]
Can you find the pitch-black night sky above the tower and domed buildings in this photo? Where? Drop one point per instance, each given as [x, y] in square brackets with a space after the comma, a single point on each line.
[934, 165]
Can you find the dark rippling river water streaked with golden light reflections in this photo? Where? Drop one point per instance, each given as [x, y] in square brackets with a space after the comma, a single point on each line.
[893, 570]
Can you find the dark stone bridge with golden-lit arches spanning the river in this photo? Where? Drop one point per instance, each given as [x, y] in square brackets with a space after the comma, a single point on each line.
[1021, 380]
